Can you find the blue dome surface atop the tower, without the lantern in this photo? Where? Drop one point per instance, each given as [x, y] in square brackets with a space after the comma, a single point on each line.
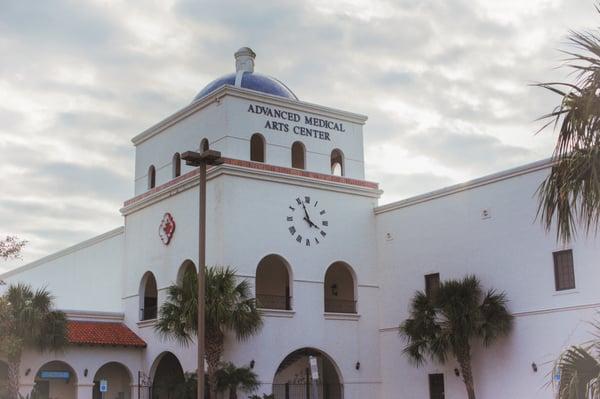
[251, 81]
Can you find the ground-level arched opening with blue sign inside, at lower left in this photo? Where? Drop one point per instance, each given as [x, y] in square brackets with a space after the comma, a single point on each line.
[55, 379]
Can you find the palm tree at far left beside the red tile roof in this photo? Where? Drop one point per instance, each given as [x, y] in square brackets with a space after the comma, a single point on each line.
[28, 321]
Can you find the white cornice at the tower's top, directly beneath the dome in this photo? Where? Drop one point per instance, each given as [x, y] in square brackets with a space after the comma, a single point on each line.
[232, 91]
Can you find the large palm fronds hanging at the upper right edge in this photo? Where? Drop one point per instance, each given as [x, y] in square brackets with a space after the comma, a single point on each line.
[570, 195]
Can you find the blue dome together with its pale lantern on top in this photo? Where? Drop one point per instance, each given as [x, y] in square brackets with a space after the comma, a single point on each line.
[246, 78]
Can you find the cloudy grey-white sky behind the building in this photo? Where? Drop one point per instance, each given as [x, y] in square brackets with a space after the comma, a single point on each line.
[446, 85]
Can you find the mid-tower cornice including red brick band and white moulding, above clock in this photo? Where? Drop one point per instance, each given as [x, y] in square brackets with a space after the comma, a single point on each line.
[254, 170]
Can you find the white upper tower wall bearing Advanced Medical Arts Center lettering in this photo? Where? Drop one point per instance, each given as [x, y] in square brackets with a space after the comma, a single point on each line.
[228, 126]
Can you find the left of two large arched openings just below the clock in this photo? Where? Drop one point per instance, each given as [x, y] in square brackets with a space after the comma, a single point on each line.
[273, 283]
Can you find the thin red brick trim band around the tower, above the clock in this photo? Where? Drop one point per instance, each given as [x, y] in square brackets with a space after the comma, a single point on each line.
[258, 166]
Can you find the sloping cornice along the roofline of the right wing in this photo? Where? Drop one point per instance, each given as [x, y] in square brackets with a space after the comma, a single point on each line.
[471, 184]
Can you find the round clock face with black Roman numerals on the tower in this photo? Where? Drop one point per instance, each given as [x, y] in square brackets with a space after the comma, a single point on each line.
[307, 221]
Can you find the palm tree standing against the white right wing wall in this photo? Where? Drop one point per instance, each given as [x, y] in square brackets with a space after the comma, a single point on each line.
[446, 323]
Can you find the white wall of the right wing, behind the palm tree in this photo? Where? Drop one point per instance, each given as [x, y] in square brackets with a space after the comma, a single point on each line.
[510, 252]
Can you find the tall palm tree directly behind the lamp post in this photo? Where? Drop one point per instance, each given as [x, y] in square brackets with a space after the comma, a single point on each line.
[229, 307]
